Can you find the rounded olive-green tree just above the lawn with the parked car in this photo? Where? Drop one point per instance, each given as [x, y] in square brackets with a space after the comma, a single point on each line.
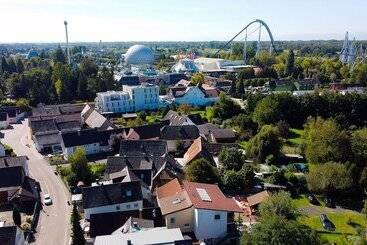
[329, 179]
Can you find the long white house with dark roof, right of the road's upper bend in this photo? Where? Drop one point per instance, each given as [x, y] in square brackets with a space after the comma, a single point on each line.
[93, 141]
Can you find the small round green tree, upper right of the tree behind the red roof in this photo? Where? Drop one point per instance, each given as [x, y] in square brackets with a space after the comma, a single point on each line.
[231, 159]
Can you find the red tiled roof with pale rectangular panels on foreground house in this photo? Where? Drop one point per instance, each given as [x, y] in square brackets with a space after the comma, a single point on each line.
[218, 201]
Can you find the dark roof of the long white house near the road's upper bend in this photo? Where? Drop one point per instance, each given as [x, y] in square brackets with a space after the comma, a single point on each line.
[87, 136]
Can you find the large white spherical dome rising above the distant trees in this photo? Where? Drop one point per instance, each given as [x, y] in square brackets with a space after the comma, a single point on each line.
[139, 55]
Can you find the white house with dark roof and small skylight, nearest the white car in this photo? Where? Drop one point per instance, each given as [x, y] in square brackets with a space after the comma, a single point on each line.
[126, 196]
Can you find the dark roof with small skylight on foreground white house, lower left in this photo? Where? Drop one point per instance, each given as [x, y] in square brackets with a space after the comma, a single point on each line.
[103, 195]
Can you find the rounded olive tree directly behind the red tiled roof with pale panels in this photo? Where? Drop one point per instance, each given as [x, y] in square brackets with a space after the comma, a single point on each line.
[201, 171]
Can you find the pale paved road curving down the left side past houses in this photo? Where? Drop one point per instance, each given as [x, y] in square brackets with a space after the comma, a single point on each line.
[53, 226]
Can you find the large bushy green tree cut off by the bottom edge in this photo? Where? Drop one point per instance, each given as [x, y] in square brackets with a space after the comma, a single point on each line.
[275, 230]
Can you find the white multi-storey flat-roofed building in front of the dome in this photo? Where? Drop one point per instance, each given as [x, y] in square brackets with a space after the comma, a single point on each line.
[130, 99]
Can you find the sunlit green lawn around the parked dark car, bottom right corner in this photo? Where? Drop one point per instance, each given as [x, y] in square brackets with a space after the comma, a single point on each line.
[346, 226]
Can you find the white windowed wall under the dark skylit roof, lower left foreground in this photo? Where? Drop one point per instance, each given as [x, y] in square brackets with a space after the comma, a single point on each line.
[113, 208]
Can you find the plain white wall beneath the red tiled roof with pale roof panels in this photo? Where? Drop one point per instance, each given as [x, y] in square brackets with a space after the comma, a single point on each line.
[206, 226]
